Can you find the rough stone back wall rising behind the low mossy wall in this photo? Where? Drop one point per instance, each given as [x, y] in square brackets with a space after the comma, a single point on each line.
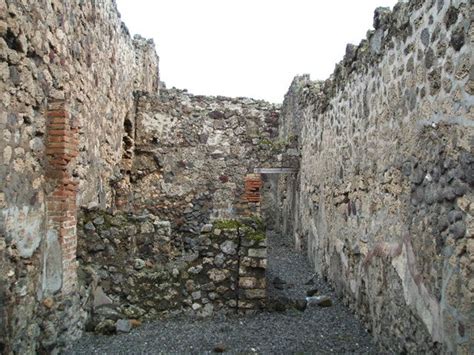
[190, 154]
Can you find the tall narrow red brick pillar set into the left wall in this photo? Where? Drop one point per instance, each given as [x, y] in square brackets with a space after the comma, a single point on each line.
[61, 149]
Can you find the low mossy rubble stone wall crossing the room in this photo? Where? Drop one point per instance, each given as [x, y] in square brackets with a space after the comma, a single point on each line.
[138, 269]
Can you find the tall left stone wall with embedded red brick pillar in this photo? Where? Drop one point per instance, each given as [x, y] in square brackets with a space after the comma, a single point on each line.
[81, 53]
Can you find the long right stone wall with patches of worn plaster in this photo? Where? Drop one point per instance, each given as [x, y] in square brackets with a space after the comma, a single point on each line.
[383, 202]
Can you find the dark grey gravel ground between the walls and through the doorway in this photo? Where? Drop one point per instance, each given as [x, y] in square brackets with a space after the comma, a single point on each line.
[316, 330]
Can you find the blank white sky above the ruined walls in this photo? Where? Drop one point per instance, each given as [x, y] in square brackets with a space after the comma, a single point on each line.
[249, 48]
